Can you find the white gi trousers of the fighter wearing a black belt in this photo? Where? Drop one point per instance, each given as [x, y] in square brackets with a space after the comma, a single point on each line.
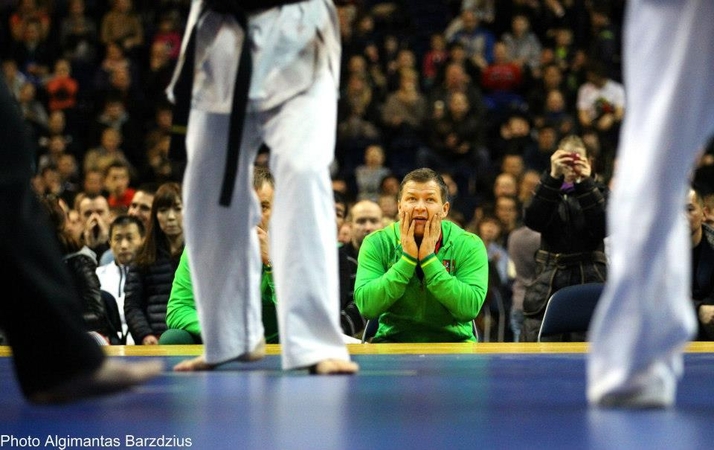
[300, 130]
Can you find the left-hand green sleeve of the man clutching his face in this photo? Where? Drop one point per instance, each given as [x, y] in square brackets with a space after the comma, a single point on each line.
[378, 285]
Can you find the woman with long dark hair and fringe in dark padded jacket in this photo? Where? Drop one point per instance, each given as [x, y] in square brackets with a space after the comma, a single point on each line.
[148, 284]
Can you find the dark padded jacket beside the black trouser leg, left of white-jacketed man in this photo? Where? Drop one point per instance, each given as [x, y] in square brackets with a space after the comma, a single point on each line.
[83, 267]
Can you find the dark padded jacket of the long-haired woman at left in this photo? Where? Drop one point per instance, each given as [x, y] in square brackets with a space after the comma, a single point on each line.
[147, 292]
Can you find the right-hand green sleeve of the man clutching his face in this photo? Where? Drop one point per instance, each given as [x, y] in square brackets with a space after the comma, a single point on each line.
[462, 292]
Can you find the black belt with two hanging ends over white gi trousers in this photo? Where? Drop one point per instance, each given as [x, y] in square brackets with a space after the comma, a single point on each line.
[184, 87]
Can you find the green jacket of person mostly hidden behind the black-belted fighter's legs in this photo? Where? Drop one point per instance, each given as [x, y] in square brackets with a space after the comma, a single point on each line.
[181, 311]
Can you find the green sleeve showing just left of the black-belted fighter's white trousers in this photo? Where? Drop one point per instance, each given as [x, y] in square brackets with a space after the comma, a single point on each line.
[181, 310]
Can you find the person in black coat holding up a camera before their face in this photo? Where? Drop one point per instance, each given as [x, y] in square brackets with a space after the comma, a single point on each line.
[568, 210]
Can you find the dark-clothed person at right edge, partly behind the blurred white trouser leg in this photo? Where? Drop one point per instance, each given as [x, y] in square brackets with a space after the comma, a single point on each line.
[702, 265]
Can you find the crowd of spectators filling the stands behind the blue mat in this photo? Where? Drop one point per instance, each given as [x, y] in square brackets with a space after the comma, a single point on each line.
[495, 96]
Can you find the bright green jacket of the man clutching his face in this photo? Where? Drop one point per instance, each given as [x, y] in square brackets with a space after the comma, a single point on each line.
[437, 308]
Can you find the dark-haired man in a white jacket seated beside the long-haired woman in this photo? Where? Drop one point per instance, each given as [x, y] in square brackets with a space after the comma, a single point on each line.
[126, 234]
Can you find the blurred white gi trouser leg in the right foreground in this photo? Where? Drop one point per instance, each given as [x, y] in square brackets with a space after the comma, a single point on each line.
[645, 316]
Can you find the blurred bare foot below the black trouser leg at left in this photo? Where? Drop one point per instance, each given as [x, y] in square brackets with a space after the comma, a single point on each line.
[111, 376]
